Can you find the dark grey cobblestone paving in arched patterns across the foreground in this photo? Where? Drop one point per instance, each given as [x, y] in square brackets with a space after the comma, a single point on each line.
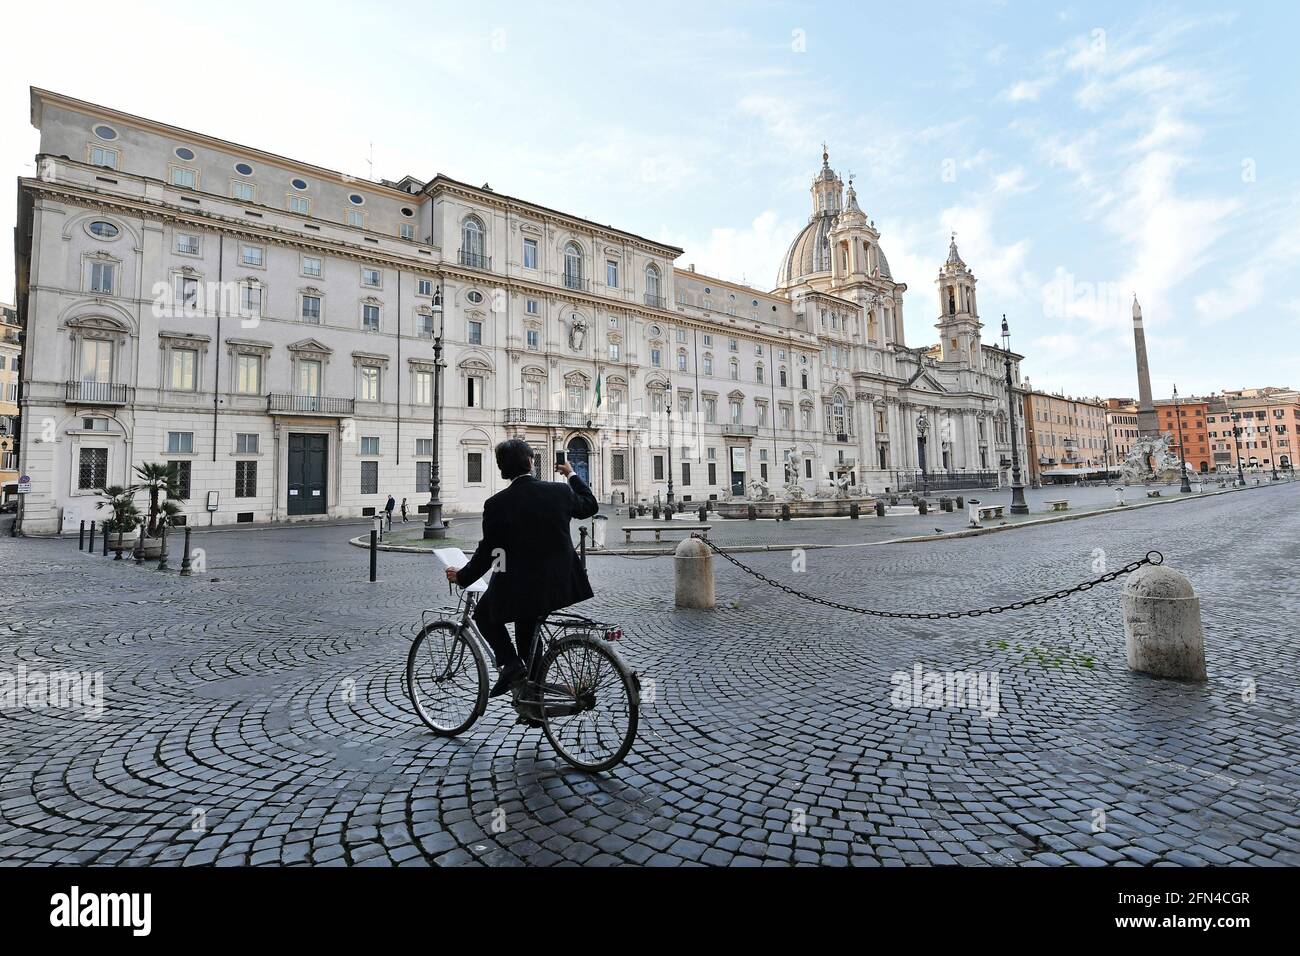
[228, 734]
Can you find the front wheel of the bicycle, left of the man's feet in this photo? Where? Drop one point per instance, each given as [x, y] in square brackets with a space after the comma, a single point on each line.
[448, 680]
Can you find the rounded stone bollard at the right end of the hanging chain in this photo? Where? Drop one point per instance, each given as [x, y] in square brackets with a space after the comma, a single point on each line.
[1163, 625]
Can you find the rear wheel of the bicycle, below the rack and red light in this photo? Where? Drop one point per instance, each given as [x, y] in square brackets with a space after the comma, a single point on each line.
[591, 700]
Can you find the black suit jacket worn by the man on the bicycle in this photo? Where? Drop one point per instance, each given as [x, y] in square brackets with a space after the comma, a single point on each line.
[527, 534]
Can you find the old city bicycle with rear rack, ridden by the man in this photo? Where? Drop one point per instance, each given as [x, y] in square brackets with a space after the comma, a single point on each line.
[584, 698]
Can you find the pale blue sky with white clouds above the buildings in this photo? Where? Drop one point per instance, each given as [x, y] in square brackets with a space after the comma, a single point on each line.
[1081, 153]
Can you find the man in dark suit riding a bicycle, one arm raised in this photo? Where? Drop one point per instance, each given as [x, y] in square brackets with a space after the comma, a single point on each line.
[527, 543]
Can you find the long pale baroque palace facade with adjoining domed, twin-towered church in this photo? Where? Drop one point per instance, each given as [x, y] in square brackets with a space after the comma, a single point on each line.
[268, 326]
